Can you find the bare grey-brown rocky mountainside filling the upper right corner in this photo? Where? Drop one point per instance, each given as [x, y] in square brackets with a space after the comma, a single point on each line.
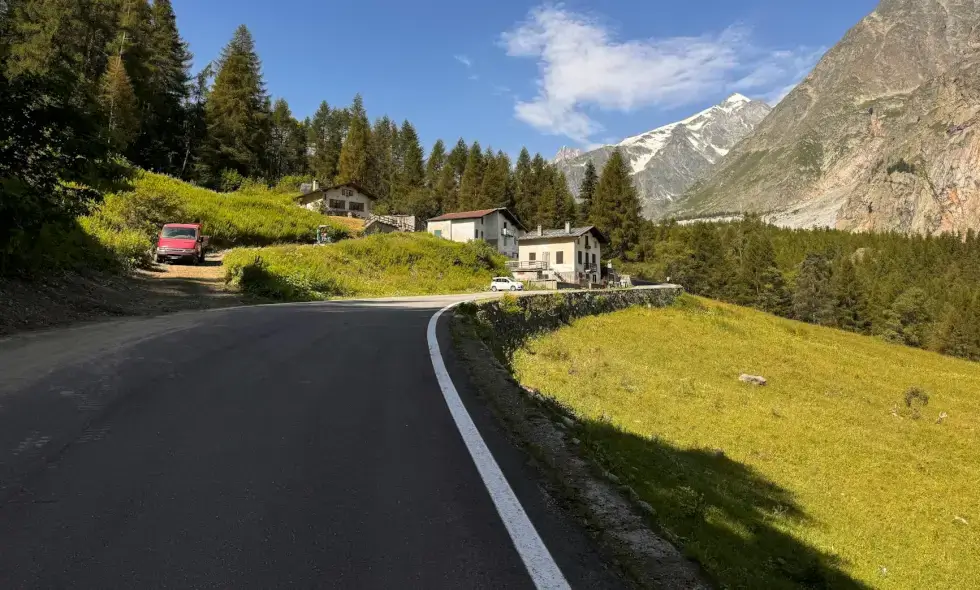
[884, 134]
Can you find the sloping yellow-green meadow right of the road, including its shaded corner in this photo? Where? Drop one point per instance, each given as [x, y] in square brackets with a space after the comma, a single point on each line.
[835, 475]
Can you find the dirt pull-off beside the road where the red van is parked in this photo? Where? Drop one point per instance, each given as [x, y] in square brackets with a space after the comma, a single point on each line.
[60, 300]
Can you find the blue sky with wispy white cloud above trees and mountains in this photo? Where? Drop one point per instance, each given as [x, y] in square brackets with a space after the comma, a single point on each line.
[511, 73]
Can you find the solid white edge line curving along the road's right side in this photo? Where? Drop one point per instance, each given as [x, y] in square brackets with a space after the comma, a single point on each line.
[544, 572]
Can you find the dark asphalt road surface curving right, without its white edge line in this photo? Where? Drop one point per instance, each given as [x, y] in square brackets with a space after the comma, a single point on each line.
[304, 445]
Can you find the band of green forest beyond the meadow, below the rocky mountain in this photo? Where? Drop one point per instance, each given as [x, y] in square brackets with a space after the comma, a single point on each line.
[913, 290]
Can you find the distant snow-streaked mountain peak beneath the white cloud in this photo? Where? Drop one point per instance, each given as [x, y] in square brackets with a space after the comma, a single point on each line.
[668, 160]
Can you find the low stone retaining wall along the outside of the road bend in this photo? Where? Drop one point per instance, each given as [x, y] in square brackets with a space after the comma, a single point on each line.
[507, 324]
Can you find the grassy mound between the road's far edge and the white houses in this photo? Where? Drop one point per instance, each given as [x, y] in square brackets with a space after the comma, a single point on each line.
[376, 266]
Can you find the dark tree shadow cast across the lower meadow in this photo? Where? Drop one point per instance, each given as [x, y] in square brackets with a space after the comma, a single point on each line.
[720, 512]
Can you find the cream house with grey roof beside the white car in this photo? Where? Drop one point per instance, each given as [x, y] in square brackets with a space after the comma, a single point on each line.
[568, 255]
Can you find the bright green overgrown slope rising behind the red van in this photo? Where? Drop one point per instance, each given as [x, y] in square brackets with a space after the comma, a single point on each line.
[127, 223]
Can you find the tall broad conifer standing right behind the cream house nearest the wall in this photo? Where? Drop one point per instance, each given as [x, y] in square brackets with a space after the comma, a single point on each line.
[615, 208]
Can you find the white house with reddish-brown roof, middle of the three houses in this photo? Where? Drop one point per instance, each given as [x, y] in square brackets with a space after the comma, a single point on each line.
[498, 227]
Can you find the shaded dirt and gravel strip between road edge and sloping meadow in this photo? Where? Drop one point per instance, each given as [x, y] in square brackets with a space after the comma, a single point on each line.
[611, 512]
